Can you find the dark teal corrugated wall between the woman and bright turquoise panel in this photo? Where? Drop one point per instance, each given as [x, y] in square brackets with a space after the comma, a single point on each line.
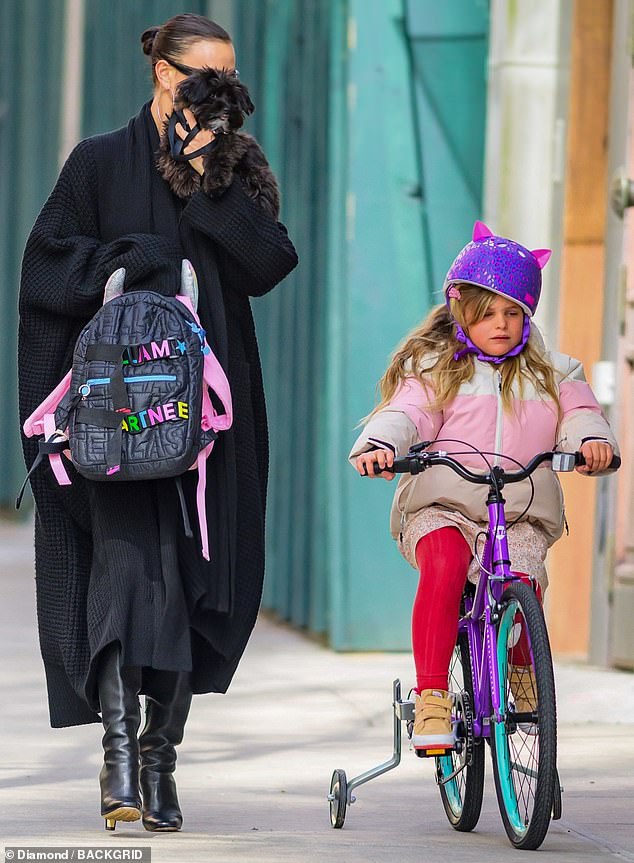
[289, 81]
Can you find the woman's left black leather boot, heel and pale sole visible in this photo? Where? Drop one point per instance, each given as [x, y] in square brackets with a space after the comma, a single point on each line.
[118, 688]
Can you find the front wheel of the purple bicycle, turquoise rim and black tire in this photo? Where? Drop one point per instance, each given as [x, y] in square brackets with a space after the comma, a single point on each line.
[524, 743]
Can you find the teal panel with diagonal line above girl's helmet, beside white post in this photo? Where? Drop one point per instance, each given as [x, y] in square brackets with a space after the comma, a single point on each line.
[449, 49]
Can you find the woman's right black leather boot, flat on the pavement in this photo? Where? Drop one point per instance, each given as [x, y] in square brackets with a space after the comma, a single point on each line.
[166, 714]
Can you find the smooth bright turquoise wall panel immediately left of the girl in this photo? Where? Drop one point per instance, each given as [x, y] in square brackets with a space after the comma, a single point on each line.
[378, 288]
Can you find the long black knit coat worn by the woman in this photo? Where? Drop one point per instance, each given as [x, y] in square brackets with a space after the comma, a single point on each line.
[112, 561]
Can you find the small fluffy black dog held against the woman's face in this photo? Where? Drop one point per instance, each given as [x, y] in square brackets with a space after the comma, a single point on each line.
[219, 102]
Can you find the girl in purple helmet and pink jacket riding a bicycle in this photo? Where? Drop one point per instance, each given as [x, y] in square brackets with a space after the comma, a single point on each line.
[475, 378]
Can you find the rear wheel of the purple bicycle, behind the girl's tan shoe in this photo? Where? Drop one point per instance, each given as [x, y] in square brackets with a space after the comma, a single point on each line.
[462, 796]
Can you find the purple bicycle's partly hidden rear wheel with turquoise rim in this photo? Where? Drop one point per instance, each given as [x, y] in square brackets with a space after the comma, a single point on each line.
[462, 795]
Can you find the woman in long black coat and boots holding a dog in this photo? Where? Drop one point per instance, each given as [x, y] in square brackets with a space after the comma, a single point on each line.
[126, 603]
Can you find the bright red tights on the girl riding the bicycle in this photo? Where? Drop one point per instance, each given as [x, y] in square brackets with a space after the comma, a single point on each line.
[443, 557]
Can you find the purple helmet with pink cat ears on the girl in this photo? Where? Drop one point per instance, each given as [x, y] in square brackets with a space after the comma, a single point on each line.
[500, 265]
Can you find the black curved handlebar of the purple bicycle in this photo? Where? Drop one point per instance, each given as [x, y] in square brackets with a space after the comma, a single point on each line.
[416, 462]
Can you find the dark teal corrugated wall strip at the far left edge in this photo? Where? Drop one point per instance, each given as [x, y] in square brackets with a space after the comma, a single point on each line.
[29, 140]
